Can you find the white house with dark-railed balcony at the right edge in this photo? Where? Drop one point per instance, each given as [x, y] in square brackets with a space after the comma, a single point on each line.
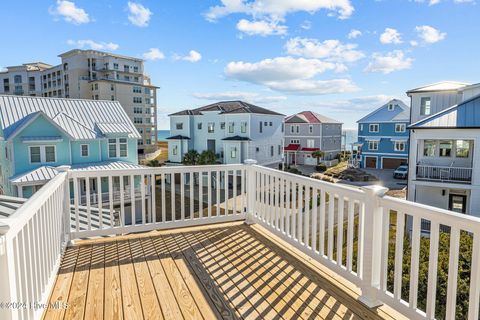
[444, 157]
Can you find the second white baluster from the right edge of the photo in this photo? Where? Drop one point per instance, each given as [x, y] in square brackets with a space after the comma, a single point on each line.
[452, 273]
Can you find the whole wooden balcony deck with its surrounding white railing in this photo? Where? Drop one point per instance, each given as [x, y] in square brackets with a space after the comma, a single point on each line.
[232, 242]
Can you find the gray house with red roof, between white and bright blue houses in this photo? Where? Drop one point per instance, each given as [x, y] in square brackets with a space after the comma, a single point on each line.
[307, 132]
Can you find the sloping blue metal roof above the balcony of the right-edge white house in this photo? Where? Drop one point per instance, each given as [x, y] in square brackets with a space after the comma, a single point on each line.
[463, 115]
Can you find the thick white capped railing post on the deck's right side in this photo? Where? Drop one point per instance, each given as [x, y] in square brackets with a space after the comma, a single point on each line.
[372, 245]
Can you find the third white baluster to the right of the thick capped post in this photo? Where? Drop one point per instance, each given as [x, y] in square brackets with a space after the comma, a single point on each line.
[432, 270]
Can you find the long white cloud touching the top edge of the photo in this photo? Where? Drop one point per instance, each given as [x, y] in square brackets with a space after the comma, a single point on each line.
[278, 9]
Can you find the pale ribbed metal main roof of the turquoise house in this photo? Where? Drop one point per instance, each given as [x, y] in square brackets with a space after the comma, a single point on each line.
[77, 118]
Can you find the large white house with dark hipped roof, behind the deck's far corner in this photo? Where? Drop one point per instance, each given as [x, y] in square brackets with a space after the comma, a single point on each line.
[234, 130]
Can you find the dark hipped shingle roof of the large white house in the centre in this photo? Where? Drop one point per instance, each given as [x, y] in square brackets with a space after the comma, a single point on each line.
[228, 107]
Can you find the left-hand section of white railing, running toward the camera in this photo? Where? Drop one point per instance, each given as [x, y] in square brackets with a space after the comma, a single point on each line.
[31, 248]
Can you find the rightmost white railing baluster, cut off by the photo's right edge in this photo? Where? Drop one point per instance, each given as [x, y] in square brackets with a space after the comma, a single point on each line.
[474, 295]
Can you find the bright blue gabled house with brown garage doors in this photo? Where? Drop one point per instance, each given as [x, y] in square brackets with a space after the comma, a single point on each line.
[383, 136]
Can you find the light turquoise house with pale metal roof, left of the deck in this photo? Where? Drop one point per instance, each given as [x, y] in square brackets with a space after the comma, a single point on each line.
[37, 135]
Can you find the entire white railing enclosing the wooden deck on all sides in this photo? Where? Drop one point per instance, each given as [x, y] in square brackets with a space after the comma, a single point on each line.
[358, 233]
